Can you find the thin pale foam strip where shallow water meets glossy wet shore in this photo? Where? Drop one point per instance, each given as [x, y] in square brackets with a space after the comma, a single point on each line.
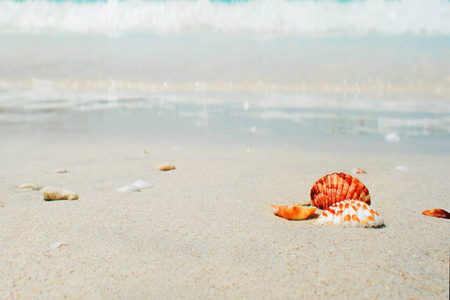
[370, 88]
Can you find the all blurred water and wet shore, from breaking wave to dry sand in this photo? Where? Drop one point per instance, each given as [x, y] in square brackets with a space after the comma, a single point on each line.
[334, 68]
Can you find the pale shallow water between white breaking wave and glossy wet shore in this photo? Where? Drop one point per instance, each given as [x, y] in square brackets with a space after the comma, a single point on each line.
[362, 65]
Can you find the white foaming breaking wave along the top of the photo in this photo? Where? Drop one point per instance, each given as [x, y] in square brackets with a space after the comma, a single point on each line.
[263, 17]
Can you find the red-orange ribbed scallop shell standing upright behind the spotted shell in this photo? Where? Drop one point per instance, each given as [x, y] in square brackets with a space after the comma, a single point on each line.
[336, 187]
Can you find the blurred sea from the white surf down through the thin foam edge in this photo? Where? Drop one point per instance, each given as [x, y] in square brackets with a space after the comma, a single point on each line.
[329, 45]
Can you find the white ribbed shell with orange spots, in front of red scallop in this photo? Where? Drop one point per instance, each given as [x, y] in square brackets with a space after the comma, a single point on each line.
[353, 213]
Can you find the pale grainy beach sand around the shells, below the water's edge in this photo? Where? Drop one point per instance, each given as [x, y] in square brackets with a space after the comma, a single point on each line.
[206, 230]
